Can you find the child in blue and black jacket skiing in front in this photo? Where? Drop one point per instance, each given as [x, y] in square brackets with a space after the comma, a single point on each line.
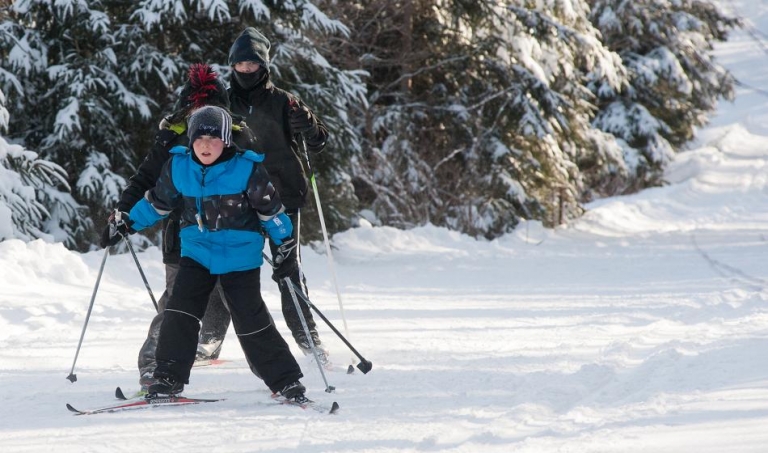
[225, 198]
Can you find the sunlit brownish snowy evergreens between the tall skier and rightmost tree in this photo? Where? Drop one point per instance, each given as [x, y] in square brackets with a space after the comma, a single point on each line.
[479, 113]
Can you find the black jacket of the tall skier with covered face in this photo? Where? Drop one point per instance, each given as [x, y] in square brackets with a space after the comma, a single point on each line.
[266, 110]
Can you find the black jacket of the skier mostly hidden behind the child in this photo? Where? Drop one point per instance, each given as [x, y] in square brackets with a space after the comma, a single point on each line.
[149, 171]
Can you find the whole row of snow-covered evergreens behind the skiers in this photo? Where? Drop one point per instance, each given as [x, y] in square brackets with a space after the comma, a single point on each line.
[465, 114]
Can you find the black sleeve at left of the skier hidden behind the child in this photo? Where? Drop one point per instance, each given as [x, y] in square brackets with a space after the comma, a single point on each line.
[149, 170]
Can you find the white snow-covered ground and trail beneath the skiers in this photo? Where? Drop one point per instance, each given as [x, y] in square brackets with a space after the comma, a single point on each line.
[642, 327]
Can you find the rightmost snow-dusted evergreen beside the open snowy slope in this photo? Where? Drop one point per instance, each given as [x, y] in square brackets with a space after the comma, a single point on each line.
[674, 81]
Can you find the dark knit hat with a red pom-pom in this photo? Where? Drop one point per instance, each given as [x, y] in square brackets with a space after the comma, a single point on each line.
[202, 88]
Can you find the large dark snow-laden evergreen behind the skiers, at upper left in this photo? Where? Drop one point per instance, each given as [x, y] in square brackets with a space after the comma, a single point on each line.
[94, 78]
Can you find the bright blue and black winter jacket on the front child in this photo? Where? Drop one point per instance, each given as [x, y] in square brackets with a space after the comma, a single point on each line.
[222, 206]
